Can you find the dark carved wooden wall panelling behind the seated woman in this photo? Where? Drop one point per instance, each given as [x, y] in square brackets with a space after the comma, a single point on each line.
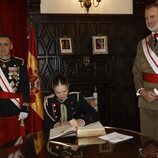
[111, 74]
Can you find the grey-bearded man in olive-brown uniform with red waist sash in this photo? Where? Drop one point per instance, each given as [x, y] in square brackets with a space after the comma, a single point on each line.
[145, 72]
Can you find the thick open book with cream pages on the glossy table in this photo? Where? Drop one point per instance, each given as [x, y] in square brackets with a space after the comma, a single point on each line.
[90, 130]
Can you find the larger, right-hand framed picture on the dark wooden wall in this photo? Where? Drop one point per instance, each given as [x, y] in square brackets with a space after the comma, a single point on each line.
[99, 45]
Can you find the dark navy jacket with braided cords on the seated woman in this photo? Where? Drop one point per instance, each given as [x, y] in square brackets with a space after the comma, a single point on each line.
[74, 107]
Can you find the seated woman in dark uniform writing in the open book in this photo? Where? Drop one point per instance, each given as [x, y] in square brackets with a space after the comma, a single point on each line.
[62, 107]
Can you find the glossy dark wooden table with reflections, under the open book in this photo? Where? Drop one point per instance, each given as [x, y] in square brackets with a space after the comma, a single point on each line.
[36, 145]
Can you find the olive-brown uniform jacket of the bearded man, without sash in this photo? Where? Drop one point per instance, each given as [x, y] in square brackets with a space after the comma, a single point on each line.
[140, 66]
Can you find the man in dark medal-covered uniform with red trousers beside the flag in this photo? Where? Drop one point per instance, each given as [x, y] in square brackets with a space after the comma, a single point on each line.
[14, 92]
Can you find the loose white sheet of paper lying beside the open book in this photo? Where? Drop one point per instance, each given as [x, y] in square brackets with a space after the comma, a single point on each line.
[115, 137]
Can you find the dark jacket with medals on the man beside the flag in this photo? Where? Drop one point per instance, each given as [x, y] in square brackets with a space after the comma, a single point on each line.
[16, 73]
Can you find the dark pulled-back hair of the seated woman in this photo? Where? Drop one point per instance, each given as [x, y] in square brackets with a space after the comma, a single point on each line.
[59, 79]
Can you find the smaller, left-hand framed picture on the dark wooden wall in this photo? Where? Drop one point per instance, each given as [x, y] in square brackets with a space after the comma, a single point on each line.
[65, 45]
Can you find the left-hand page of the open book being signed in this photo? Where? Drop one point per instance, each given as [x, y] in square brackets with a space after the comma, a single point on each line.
[61, 131]
